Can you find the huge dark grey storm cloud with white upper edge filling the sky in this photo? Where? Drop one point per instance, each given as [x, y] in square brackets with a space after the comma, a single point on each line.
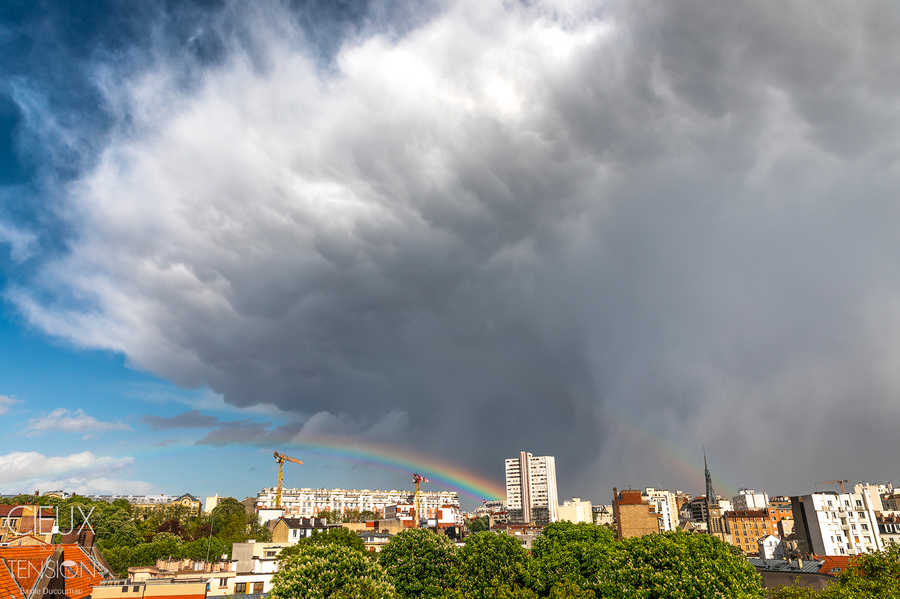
[608, 234]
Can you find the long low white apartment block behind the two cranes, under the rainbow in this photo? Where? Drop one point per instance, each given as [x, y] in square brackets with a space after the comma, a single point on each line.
[309, 502]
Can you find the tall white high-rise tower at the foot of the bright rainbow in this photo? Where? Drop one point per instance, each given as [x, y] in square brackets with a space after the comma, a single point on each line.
[531, 489]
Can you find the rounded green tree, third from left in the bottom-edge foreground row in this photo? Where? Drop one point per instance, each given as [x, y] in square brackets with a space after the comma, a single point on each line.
[487, 562]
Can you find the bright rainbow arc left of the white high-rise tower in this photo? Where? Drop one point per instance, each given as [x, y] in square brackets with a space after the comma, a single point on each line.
[458, 479]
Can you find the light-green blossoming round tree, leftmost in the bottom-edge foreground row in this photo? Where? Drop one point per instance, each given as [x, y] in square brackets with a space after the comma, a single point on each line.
[329, 572]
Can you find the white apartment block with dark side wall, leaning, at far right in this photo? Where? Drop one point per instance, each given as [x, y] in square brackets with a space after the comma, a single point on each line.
[830, 523]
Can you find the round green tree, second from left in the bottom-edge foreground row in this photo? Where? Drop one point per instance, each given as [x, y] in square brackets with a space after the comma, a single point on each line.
[419, 562]
